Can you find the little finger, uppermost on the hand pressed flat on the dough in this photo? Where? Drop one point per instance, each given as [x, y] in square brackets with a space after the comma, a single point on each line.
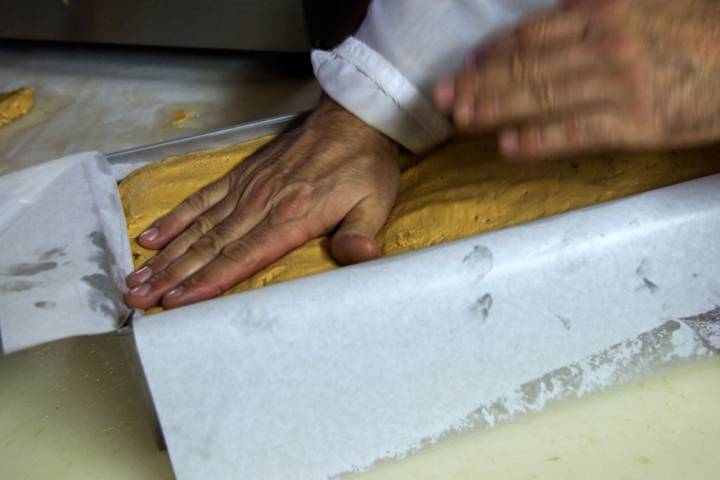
[169, 226]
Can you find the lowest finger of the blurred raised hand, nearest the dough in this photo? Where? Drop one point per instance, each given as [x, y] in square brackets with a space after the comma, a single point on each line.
[563, 137]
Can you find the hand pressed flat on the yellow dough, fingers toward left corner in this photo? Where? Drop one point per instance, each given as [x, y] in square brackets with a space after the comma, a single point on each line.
[334, 169]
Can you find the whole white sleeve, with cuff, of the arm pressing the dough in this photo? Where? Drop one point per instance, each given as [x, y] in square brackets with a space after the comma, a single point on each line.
[385, 73]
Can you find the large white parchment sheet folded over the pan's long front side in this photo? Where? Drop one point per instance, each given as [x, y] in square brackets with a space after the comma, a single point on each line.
[328, 374]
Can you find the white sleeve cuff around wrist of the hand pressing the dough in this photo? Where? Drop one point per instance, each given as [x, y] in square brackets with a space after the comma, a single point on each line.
[366, 84]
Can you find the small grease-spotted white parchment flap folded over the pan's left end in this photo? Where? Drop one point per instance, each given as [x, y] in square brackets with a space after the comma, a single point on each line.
[65, 252]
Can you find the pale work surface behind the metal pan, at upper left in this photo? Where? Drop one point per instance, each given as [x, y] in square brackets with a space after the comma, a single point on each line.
[114, 99]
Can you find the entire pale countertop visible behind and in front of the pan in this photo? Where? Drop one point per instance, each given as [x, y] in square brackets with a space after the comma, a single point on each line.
[74, 409]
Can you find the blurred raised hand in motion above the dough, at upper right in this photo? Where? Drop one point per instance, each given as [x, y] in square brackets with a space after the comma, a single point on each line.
[596, 75]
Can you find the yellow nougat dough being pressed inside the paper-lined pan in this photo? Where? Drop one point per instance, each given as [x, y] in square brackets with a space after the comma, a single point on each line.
[459, 190]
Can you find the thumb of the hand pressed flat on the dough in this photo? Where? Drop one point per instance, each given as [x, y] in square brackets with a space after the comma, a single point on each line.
[354, 241]
